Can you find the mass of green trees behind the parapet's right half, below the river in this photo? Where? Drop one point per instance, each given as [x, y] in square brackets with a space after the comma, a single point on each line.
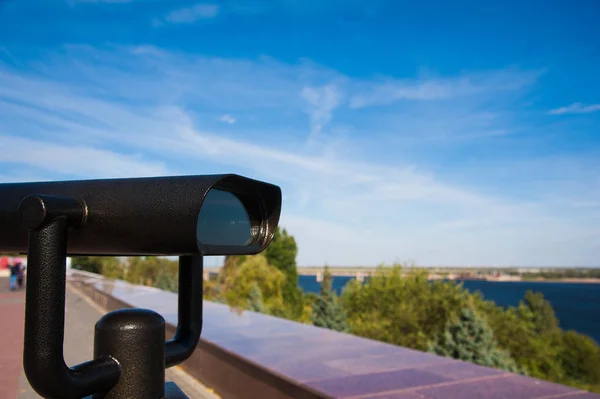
[403, 308]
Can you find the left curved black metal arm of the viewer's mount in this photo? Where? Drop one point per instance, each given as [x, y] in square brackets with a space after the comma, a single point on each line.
[43, 359]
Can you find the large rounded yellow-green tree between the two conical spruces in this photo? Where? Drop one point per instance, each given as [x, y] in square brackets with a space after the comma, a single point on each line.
[402, 309]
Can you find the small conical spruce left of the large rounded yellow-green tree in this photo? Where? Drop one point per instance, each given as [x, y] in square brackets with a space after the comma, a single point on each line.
[327, 311]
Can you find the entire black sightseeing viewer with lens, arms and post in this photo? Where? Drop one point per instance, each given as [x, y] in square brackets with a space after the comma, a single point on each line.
[187, 216]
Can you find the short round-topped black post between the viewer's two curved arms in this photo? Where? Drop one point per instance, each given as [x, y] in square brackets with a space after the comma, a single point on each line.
[136, 339]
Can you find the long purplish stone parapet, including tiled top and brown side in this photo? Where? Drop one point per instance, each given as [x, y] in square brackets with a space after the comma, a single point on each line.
[252, 355]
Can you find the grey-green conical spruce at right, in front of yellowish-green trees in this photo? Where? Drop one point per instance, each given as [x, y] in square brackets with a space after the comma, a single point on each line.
[471, 339]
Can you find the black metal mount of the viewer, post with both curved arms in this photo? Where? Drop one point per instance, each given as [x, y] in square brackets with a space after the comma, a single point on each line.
[130, 354]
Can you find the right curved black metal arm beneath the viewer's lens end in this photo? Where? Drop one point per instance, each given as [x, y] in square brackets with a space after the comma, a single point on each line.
[189, 311]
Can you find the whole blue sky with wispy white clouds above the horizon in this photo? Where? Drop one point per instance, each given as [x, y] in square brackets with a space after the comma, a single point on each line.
[431, 133]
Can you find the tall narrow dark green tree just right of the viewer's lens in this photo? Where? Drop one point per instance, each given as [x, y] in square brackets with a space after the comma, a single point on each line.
[281, 253]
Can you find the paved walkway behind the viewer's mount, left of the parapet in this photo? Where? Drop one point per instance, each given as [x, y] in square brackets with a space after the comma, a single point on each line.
[81, 316]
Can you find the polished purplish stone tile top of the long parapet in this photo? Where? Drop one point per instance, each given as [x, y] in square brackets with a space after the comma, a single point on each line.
[339, 365]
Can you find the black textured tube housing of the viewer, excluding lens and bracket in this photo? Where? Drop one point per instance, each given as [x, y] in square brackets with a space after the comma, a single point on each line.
[142, 216]
